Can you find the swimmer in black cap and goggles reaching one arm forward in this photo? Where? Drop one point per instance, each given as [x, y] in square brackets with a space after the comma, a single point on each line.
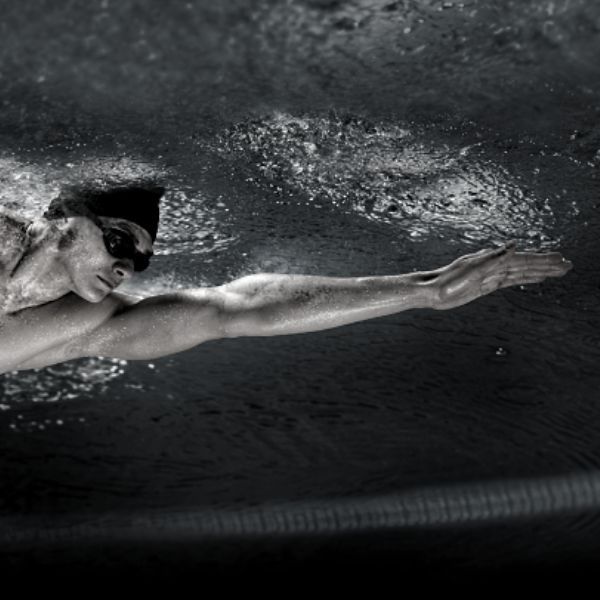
[58, 276]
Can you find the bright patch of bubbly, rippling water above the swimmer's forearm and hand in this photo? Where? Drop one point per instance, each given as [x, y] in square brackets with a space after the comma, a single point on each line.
[391, 174]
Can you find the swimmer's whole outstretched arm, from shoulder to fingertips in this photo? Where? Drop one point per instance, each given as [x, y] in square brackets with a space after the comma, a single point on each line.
[271, 304]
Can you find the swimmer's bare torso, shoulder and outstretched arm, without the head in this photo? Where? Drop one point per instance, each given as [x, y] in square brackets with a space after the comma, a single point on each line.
[123, 326]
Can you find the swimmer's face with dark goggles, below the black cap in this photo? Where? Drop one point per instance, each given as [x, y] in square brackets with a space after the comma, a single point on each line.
[86, 247]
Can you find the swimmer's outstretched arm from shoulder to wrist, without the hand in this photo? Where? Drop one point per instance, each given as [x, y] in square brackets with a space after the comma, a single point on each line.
[257, 305]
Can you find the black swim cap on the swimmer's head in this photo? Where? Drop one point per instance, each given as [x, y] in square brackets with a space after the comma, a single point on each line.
[136, 204]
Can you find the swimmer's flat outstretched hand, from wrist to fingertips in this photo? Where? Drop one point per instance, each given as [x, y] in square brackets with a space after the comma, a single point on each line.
[475, 275]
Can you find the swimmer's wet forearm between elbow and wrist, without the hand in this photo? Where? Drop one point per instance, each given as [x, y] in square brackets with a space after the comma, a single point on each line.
[273, 304]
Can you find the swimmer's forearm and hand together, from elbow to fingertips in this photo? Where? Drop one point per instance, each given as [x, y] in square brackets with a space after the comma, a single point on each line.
[283, 304]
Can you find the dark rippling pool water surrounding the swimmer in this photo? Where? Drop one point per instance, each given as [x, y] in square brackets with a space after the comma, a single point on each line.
[317, 137]
